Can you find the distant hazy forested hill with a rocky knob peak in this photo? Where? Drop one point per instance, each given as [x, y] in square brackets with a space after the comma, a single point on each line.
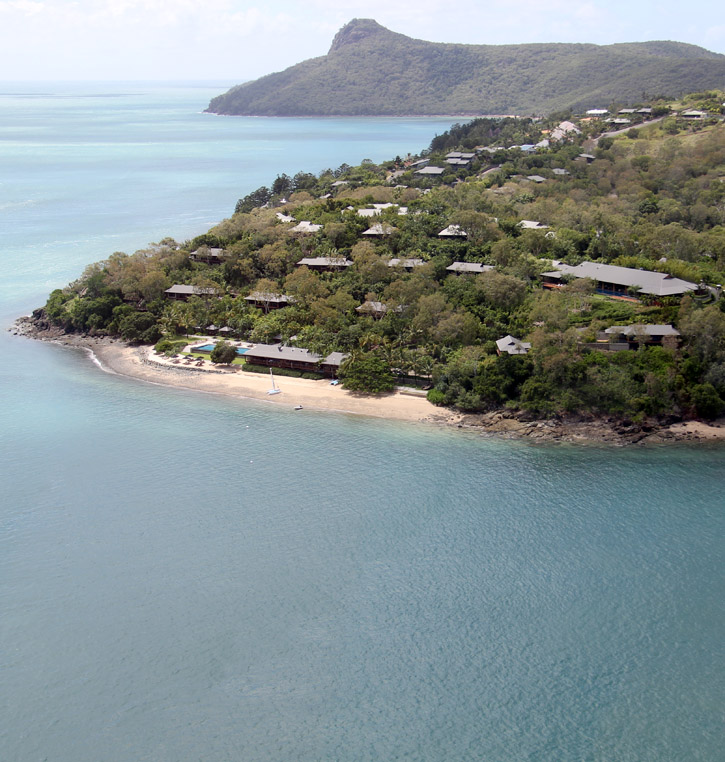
[370, 70]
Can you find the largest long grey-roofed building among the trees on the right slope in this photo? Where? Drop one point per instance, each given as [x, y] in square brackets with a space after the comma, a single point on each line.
[613, 280]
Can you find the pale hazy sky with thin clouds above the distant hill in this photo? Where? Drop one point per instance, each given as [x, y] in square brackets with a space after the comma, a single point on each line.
[244, 39]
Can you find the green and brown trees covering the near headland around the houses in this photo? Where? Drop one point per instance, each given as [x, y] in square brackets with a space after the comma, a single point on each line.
[652, 198]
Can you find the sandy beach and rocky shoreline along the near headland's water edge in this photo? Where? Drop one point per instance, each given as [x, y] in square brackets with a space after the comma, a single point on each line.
[142, 364]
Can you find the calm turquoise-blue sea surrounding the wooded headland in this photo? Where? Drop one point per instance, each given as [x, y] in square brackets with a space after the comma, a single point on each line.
[190, 577]
